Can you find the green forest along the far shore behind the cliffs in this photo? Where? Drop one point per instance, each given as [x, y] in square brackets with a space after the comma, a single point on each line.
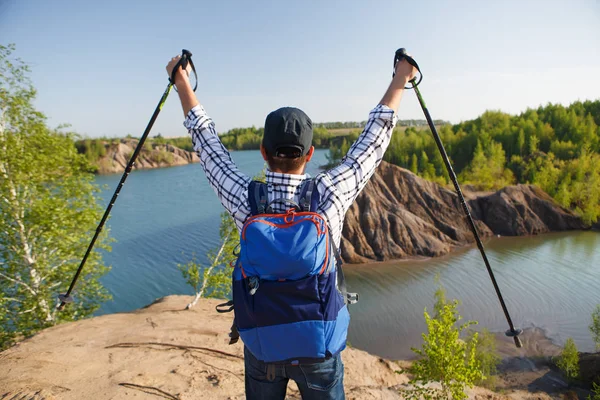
[554, 147]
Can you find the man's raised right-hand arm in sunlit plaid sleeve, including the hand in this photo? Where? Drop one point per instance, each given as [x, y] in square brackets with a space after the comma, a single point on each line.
[359, 164]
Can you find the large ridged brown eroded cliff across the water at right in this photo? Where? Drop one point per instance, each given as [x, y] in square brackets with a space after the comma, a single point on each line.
[400, 215]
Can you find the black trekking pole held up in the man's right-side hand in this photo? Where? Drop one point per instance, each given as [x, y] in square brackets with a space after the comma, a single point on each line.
[401, 54]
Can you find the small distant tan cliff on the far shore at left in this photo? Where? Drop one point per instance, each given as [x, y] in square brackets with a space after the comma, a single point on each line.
[118, 155]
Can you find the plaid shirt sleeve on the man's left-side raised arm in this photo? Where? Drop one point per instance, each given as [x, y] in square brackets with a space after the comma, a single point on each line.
[224, 177]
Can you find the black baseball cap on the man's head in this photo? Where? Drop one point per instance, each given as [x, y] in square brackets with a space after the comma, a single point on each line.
[287, 128]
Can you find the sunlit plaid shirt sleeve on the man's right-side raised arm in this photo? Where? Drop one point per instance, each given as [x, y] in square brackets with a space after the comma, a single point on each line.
[361, 161]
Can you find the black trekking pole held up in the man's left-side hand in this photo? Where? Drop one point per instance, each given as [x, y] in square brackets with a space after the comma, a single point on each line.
[186, 57]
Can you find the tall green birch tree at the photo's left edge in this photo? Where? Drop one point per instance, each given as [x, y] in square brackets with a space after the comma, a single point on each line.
[49, 210]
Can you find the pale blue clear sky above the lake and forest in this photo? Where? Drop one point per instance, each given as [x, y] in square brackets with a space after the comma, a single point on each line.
[99, 66]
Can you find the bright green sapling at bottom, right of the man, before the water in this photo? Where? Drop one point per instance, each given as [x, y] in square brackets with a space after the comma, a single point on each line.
[444, 357]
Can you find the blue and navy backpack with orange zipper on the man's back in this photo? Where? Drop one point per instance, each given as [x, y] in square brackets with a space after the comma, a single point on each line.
[289, 293]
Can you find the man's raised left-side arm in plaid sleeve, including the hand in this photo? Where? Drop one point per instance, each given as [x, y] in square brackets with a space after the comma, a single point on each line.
[227, 181]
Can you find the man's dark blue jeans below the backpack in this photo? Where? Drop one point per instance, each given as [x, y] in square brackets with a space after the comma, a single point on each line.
[320, 381]
